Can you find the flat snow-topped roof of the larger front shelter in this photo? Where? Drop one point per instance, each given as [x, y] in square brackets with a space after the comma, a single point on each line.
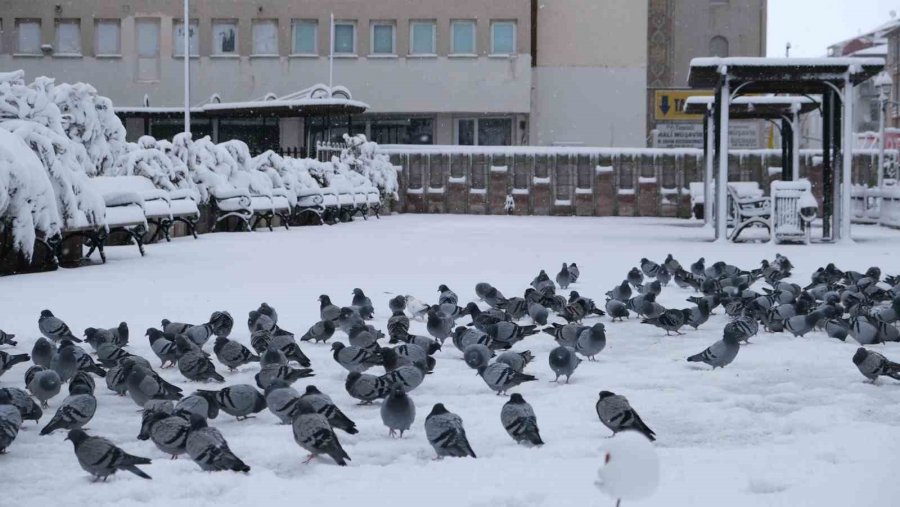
[782, 75]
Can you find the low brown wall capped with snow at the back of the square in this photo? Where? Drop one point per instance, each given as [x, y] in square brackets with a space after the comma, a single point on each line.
[582, 181]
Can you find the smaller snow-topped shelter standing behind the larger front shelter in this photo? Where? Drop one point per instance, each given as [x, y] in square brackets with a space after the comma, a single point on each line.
[788, 109]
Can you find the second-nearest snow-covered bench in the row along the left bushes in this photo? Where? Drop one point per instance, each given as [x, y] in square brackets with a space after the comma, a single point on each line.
[162, 208]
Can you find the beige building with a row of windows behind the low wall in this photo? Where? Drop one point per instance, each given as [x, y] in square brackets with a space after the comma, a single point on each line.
[503, 72]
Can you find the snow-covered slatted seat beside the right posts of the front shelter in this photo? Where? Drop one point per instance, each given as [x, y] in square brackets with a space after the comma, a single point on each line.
[793, 209]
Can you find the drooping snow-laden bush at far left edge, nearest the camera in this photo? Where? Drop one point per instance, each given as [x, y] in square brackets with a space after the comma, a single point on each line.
[27, 203]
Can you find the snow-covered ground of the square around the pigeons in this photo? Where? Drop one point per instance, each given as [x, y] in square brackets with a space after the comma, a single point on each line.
[791, 422]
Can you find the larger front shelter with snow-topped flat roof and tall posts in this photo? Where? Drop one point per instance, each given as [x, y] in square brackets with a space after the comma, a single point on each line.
[832, 78]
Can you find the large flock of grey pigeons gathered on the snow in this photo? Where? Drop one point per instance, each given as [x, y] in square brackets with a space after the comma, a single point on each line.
[863, 306]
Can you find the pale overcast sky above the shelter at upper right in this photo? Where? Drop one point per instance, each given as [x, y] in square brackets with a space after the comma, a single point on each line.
[812, 25]
